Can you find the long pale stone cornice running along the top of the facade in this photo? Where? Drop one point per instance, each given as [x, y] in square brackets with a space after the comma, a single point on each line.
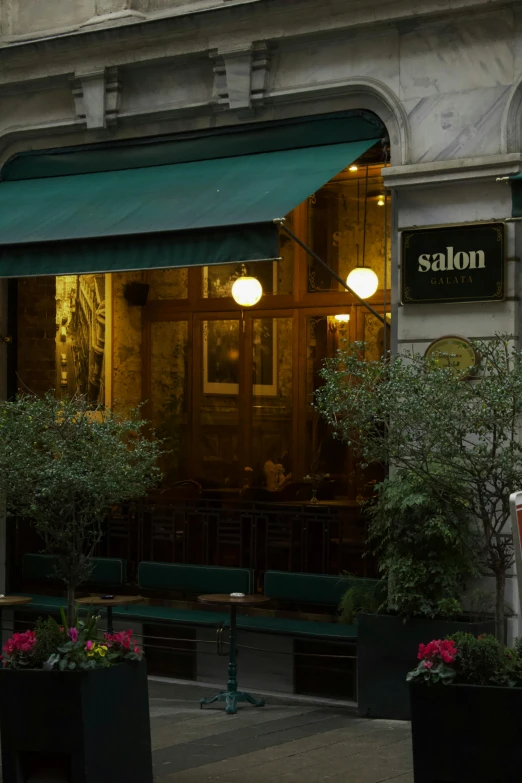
[270, 19]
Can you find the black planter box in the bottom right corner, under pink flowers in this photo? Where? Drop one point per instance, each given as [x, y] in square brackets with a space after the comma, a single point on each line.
[466, 734]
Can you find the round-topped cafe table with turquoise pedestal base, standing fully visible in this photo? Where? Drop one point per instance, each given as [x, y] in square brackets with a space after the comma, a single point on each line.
[232, 696]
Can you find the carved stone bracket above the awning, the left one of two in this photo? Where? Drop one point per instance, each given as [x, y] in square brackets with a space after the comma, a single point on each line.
[97, 97]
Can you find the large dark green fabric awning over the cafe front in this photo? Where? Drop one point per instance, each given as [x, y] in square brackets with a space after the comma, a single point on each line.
[193, 213]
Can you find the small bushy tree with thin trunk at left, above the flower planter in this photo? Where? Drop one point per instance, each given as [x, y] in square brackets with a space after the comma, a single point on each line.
[62, 464]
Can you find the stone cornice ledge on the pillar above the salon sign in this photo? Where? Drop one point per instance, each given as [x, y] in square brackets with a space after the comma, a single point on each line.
[489, 168]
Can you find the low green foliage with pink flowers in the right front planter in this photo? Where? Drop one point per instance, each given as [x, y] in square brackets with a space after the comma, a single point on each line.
[467, 659]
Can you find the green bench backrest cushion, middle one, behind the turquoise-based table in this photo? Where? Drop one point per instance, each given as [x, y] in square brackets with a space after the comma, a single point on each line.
[194, 579]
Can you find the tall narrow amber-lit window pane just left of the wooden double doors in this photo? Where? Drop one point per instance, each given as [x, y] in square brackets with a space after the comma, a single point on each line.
[169, 342]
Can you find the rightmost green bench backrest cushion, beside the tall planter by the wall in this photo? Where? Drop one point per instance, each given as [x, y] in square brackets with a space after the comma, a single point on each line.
[308, 588]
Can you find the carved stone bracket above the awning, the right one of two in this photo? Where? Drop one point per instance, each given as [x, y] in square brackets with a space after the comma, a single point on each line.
[240, 75]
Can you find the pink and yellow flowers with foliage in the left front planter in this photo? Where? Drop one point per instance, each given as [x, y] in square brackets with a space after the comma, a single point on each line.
[80, 647]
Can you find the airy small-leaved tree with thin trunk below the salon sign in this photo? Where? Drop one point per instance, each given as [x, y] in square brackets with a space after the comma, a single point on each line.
[459, 435]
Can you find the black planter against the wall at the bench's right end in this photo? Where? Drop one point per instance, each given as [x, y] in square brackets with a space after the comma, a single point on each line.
[387, 650]
